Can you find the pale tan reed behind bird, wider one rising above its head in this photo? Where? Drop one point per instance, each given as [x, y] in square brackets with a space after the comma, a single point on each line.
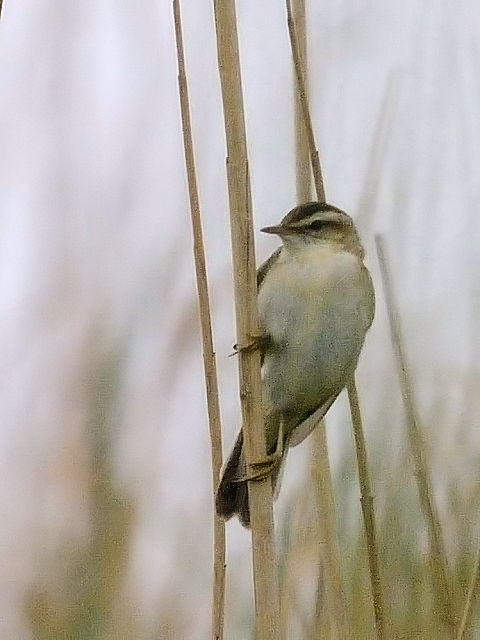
[330, 572]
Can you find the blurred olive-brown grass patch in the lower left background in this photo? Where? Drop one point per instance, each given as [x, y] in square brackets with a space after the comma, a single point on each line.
[81, 597]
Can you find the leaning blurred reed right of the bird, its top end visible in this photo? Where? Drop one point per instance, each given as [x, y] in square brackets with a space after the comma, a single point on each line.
[417, 446]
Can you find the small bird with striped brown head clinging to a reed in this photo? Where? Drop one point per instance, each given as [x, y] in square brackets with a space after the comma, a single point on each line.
[316, 302]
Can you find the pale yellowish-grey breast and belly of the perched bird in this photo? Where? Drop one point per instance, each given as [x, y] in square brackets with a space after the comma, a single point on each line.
[317, 334]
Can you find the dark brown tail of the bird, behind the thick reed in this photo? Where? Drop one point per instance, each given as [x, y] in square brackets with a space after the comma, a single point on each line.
[231, 497]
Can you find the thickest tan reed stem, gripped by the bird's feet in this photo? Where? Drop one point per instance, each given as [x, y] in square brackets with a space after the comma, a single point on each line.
[260, 491]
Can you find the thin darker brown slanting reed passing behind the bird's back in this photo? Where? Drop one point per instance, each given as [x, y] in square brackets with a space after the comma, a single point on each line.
[365, 485]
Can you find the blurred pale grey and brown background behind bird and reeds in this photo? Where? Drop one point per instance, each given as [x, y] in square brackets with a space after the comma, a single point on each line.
[105, 465]
